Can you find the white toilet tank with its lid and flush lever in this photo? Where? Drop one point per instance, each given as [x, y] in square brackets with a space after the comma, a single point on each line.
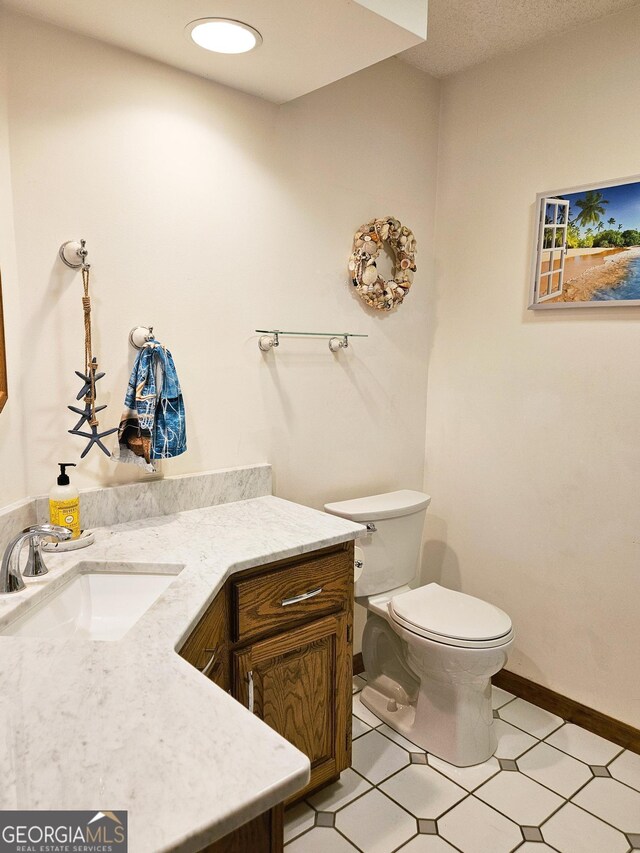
[391, 551]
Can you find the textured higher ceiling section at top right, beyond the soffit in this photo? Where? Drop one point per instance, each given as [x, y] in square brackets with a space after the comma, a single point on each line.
[462, 33]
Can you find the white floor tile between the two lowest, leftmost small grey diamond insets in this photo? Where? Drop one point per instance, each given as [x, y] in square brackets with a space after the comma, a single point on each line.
[375, 824]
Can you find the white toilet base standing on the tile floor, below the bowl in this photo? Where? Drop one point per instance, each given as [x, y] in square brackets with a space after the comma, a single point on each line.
[454, 722]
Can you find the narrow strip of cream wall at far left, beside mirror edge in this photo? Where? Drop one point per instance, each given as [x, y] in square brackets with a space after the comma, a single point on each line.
[12, 467]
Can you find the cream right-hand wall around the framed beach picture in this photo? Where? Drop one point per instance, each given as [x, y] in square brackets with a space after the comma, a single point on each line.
[533, 451]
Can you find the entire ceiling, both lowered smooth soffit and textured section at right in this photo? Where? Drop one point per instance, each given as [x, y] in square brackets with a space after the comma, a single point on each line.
[311, 43]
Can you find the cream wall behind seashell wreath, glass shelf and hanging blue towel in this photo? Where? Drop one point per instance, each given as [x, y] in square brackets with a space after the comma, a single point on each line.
[209, 214]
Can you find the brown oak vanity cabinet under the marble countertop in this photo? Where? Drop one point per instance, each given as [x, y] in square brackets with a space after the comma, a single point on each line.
[279, 638]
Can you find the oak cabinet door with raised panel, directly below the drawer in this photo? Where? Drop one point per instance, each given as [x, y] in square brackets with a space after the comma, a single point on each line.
[299, 683]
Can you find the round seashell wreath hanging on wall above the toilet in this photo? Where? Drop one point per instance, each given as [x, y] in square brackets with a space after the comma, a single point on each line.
[367, 244]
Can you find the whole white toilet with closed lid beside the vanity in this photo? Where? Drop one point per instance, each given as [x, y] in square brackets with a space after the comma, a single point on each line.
[429, 652]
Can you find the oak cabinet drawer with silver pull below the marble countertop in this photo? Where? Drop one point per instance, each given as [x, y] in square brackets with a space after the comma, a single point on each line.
[273, 600]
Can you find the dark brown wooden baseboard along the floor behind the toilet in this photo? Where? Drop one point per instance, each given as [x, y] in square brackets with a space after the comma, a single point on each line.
[574, 712]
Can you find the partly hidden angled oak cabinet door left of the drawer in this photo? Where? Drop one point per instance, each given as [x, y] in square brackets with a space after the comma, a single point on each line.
[206, 647]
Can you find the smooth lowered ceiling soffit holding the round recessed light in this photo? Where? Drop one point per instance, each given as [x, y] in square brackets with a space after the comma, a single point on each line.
[307, 43]
